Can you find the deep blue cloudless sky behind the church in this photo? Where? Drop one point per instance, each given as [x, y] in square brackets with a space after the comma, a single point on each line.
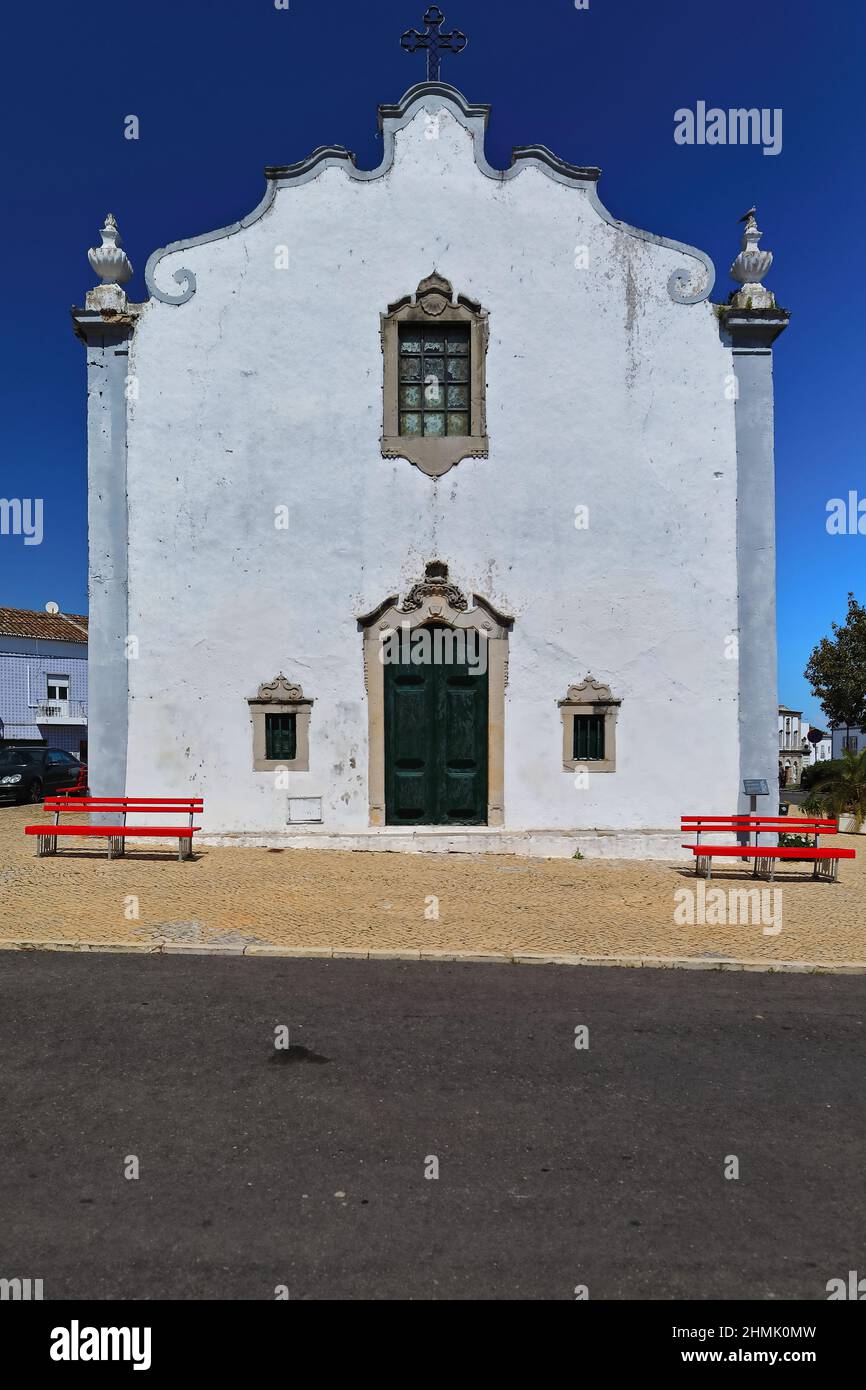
[224, 88]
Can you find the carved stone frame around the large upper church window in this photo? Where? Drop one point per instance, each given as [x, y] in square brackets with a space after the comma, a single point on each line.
[432, 306]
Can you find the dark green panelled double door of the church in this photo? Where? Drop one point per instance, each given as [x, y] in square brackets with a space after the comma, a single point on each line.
[436, 746]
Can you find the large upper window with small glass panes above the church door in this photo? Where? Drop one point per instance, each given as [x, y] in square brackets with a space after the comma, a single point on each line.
[434, 380]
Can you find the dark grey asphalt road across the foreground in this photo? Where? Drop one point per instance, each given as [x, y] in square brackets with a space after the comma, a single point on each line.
[558, 1167]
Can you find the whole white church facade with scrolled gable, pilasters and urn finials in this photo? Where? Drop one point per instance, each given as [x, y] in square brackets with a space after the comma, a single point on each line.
[433, 508]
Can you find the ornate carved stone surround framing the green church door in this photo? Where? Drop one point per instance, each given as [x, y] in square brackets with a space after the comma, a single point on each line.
[434, 600]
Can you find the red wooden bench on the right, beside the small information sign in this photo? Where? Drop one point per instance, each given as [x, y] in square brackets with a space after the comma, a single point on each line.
[826, 862]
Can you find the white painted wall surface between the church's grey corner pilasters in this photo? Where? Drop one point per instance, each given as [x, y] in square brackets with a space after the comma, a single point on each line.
[266, 389]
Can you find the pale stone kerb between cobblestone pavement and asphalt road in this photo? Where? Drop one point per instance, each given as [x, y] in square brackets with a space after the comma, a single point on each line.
[444, 957]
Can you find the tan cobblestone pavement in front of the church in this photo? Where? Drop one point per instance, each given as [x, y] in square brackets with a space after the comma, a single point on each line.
[384, 901]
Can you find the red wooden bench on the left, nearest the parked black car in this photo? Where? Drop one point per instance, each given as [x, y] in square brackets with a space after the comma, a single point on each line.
[119, 833]
